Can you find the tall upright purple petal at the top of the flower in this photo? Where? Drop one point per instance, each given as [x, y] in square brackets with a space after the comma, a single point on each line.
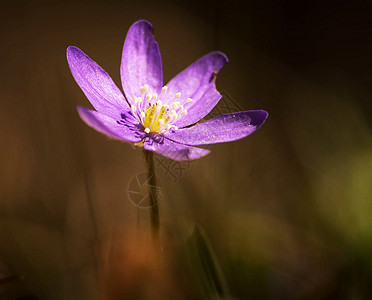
[141, 61]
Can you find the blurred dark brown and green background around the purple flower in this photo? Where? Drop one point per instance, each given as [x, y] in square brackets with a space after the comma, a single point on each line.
[286, 213]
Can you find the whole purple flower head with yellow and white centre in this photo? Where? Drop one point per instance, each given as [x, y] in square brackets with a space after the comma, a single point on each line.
[152, 115]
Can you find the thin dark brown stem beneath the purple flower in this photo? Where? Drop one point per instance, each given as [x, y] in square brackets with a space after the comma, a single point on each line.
[153, 196]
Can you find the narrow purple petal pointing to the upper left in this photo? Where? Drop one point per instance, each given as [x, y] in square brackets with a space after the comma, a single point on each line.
[96, 84]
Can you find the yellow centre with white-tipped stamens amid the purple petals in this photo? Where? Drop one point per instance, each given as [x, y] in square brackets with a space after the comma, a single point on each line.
[155, 116]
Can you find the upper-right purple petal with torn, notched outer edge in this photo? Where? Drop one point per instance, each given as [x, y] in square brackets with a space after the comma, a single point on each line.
[198, 83]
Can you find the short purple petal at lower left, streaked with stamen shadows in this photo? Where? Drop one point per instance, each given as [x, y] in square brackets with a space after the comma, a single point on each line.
[117, 129]
